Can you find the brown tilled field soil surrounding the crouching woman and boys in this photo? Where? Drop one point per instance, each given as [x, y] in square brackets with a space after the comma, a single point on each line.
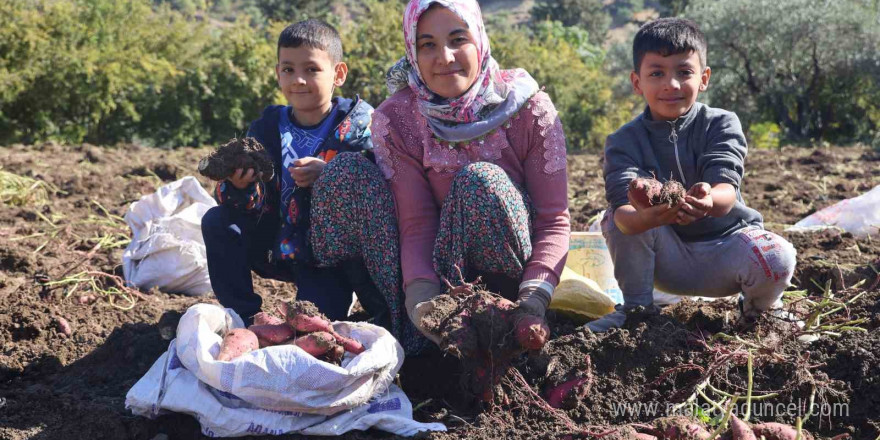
[54, 385]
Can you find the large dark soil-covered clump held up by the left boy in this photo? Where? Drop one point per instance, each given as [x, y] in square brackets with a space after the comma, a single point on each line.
[245, 153]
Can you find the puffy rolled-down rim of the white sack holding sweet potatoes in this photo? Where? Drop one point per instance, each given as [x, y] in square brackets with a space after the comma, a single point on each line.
[285, 377]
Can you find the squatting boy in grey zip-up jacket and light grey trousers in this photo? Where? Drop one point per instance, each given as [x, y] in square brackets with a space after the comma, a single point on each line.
[710, 244]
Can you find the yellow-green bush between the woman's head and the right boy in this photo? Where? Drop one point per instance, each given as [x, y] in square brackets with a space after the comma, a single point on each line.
[574, 78]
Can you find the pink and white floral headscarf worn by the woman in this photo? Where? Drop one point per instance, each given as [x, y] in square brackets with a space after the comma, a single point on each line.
[495, 95]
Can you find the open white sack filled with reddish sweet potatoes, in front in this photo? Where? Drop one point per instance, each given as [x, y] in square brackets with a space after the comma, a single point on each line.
[290, 379]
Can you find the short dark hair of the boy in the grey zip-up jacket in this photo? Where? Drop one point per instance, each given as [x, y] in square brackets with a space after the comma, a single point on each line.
[669, 36]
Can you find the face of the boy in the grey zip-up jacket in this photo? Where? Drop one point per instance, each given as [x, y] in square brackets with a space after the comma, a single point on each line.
[670, 84]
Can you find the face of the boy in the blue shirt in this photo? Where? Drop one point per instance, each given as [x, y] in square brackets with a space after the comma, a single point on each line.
[307, 77]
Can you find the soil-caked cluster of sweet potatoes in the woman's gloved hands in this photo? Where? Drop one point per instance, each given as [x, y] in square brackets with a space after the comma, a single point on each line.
[486, 332]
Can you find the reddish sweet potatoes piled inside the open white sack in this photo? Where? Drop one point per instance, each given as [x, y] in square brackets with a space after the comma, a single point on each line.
[303, 326]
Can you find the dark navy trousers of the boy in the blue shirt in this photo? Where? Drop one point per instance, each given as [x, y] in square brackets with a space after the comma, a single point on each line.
[233, 254]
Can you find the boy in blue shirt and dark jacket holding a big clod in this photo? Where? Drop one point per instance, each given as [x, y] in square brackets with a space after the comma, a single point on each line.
[265, 226]
